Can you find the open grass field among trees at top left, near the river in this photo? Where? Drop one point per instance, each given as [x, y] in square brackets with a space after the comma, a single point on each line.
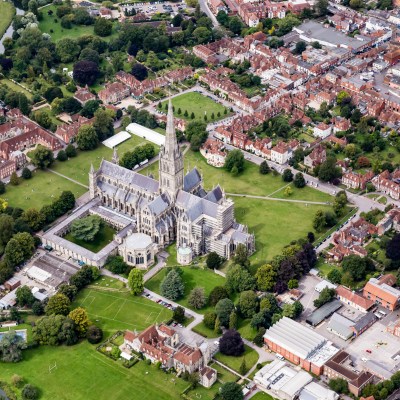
[51, 24]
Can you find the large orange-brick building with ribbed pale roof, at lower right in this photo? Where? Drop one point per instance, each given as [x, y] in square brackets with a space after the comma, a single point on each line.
[299, 344]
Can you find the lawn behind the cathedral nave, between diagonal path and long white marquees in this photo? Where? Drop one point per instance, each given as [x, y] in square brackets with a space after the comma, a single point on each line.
[78, 167]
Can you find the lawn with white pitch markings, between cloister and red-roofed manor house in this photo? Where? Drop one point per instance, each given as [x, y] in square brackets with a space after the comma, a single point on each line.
[116, 310]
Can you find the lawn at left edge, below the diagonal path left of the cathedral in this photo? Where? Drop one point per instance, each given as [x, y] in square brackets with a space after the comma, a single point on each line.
[41, 189]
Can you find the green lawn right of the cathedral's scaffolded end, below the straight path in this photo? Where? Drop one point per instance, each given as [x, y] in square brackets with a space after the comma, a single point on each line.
[274, 223]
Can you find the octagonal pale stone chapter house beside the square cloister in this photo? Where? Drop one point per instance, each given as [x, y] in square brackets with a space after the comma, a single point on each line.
[138, 250]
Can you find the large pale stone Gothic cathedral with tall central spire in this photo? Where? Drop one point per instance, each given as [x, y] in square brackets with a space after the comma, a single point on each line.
[175, 208]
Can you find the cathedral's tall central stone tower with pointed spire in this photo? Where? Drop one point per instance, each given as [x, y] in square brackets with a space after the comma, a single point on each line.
[171, 159]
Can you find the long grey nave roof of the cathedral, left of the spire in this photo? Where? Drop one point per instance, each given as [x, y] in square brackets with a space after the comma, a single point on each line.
[129, 177]
